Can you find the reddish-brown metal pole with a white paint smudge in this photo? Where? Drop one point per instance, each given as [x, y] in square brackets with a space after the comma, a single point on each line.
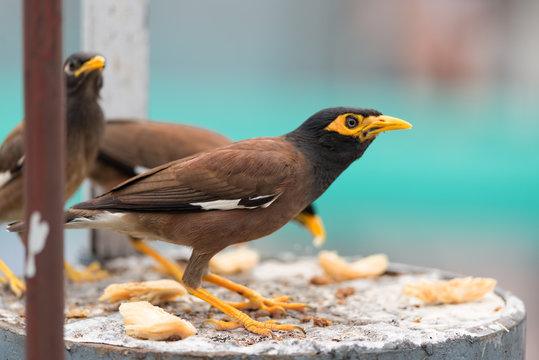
[44, 178]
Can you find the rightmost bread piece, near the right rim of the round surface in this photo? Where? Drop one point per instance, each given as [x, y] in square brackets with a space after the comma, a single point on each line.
[454, 291]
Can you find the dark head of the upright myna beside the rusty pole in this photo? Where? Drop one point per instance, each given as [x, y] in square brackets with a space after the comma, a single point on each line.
[83, 74]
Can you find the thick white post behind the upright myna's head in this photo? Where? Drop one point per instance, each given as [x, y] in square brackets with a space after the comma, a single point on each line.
[118, 29]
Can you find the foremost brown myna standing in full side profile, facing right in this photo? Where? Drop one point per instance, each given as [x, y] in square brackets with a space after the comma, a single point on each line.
[234, 194]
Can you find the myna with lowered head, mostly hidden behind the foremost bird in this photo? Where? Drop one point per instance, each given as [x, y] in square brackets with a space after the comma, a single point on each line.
[131, 147]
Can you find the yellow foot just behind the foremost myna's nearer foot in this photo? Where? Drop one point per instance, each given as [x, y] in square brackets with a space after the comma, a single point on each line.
[275, 307]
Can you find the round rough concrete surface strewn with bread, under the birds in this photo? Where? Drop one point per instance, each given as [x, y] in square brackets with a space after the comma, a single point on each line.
[374, 322]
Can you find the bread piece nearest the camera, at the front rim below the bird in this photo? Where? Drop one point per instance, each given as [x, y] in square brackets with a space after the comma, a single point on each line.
[143, 320]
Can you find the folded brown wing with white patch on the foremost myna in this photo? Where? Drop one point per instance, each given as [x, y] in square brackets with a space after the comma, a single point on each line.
[235, 177]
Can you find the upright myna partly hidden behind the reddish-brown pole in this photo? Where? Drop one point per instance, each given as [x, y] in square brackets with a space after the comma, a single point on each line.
[84, 128]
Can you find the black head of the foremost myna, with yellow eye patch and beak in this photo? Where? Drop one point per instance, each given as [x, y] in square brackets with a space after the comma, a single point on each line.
[340, 135]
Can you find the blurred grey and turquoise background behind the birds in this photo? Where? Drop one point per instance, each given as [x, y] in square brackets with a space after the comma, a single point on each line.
[459, 192]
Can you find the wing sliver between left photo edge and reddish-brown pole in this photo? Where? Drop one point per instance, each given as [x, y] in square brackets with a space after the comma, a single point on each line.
[12, 156]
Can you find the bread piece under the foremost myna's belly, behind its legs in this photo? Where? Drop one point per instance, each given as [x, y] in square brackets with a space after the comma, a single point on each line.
[234, 261]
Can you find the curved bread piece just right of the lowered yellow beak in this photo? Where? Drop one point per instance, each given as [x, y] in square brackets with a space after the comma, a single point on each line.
[340, 270]
